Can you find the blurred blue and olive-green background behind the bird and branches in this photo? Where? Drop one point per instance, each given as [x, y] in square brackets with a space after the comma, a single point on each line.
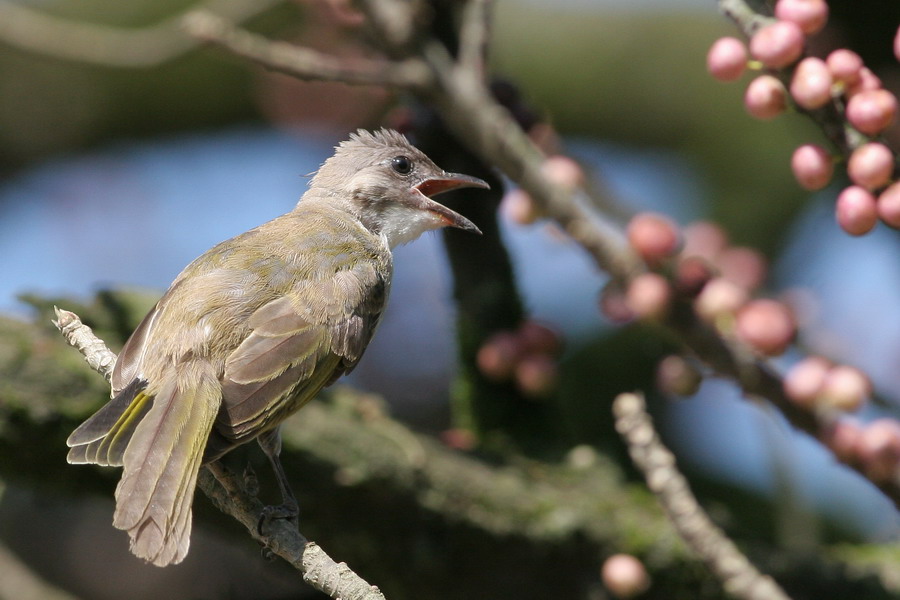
[115, 177]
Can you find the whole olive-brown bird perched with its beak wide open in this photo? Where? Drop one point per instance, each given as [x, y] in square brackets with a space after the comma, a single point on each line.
[251, 330]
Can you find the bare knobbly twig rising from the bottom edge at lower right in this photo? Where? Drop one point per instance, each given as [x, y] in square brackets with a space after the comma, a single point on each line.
[739, 577]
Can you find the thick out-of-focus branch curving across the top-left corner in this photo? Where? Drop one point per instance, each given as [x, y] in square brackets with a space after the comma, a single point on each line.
[92, 43]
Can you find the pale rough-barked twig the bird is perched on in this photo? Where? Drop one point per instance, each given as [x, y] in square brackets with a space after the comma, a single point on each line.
[228, 494]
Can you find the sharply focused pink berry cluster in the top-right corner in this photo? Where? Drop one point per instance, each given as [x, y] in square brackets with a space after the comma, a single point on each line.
[840, 82]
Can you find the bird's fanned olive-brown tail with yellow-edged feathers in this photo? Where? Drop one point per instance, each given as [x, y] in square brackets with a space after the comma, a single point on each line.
[166, 431]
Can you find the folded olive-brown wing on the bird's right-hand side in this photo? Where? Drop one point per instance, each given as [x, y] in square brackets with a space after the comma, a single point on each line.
[299, 343]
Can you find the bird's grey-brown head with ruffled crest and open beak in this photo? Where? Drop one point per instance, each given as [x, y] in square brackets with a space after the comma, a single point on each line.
[389, 184]
